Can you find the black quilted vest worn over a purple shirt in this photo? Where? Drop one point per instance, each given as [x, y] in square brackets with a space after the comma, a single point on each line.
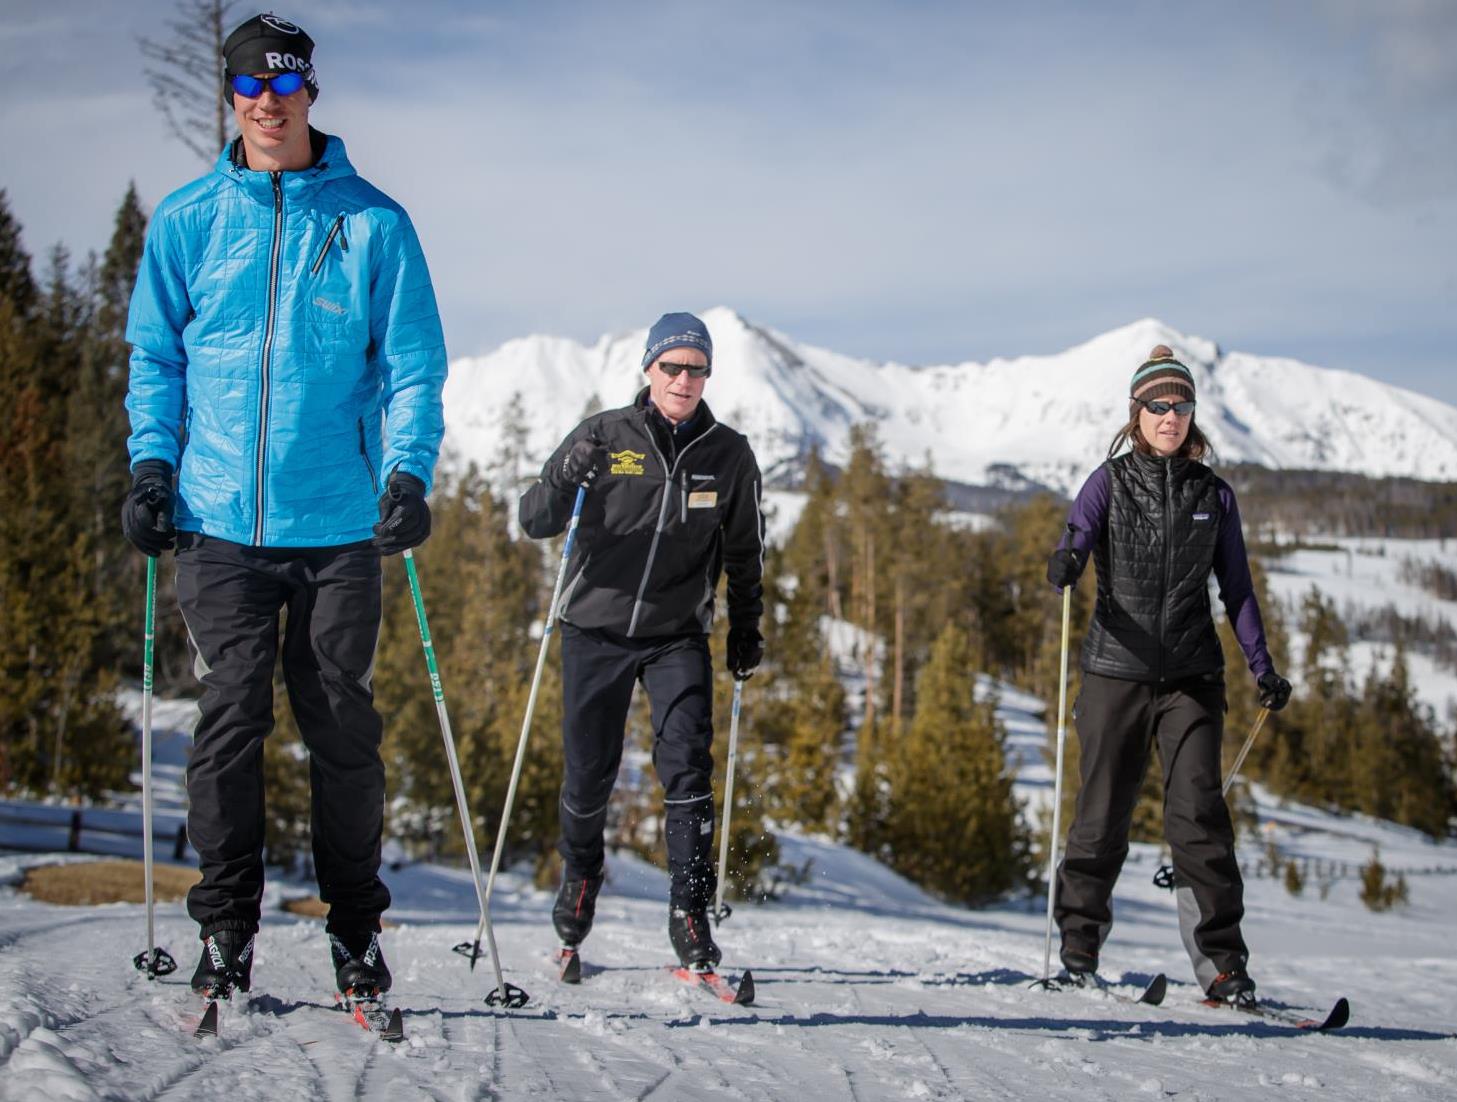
[1152, 620]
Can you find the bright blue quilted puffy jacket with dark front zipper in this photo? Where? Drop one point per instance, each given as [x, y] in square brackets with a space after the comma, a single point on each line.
[286, 355]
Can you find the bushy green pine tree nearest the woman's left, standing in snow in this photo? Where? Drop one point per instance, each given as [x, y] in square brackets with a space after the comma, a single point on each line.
[954, 824]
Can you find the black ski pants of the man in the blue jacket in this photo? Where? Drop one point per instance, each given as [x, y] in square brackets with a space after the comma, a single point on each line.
[231, 598]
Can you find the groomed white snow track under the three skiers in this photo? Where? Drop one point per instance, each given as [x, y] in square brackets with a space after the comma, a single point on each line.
[868, 990]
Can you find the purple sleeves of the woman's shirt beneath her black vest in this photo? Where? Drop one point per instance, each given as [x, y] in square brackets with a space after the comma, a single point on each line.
[1232, 563]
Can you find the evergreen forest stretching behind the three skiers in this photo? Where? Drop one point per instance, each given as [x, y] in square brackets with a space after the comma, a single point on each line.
[872, 721]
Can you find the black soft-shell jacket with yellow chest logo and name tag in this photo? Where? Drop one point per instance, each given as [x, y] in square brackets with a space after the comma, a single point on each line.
[659, 525]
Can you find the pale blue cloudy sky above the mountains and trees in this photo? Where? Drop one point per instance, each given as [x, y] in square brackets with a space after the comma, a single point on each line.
[916, 181]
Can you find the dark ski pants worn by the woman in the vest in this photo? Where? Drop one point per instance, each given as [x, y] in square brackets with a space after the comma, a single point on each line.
[1117, 724]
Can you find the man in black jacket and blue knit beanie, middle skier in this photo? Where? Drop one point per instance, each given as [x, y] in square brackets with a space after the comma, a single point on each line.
[674, 501]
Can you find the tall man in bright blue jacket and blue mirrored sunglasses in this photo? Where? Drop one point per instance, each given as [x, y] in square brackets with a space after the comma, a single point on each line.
[285, 397]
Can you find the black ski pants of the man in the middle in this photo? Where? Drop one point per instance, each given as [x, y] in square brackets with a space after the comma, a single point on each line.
[598, 671]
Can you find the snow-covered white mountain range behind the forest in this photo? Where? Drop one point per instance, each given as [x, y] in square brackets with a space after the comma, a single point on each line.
[1045, 419]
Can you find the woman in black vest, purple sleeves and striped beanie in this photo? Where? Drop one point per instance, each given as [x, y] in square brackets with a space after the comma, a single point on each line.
[1159, 523]
